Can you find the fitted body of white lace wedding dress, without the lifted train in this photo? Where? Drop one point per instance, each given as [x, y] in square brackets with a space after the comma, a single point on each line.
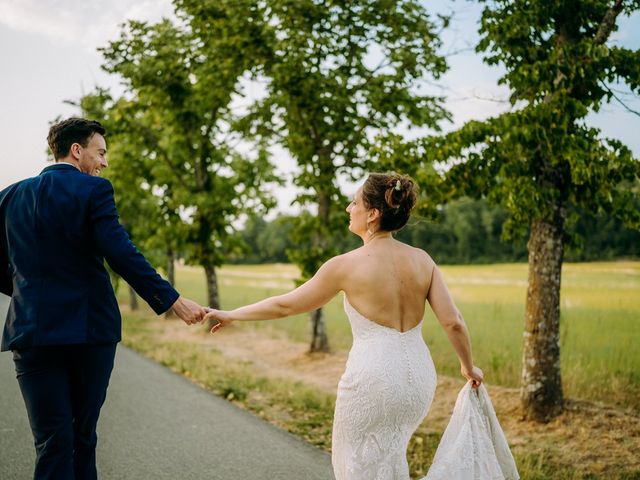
[383, 396]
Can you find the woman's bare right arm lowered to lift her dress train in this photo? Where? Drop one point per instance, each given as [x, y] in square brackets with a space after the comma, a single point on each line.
[451, 320]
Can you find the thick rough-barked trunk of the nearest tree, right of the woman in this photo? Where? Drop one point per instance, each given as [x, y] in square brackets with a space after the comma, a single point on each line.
[541, 389]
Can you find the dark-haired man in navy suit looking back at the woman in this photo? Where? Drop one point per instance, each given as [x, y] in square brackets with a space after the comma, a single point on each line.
[63, 323]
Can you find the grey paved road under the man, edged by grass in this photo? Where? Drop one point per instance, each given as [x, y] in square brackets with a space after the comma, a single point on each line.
[157, 425]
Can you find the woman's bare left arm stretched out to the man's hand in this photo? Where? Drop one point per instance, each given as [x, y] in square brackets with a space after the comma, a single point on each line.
[313, 294]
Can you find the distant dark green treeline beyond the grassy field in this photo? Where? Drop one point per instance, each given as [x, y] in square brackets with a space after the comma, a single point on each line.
[465, 231]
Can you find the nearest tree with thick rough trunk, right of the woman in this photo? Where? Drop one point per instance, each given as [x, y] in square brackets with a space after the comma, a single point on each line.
[542, 159]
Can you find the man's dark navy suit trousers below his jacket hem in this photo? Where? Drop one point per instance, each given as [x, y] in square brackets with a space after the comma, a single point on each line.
[64, 388]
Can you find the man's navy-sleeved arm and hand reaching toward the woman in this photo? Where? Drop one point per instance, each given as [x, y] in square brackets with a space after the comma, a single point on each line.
[114, 244]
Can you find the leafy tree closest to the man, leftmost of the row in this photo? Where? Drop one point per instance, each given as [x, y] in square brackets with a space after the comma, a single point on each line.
[177, 106]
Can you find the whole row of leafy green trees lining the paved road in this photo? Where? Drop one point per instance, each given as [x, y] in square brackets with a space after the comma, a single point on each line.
[333, 82]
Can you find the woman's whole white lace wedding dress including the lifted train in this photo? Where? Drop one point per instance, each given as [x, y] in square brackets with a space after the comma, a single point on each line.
[383, 396]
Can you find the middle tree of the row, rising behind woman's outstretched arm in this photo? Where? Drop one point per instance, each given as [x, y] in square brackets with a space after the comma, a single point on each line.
[336, 73]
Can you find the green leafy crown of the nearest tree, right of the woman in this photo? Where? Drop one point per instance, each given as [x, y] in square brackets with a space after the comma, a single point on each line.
[541, 160]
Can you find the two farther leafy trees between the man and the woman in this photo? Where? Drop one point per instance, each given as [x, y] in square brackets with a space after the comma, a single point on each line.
[323, 99]
